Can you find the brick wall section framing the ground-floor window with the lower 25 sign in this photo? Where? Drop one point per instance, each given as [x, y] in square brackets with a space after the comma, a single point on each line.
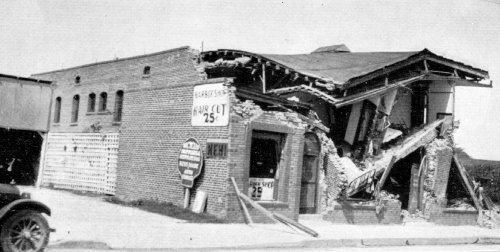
[288, 199]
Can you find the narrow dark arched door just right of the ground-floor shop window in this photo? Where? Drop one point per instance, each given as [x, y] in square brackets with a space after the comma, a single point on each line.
[309, 185]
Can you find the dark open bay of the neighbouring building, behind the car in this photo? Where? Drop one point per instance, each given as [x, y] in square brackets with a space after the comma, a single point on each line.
[19, 156]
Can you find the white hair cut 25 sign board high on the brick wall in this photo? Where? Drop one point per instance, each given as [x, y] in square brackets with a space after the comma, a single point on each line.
[210, 105]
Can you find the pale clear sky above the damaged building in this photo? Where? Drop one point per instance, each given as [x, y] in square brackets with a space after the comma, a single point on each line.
[38, 36]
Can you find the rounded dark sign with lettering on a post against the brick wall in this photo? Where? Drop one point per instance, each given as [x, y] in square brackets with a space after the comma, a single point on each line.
[190, 162]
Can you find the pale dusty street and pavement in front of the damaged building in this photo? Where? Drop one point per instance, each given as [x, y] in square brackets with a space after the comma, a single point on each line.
[90, 222]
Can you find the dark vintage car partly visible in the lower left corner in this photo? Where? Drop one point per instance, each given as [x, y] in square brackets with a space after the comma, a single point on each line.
[22, 225]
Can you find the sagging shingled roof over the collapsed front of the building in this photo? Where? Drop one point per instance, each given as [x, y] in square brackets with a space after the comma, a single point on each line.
[347, 69]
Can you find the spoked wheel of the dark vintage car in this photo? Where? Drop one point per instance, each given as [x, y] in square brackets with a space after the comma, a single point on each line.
[25, 230]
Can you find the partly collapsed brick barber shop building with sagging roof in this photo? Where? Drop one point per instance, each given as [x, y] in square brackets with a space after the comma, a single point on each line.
[356, 137]
